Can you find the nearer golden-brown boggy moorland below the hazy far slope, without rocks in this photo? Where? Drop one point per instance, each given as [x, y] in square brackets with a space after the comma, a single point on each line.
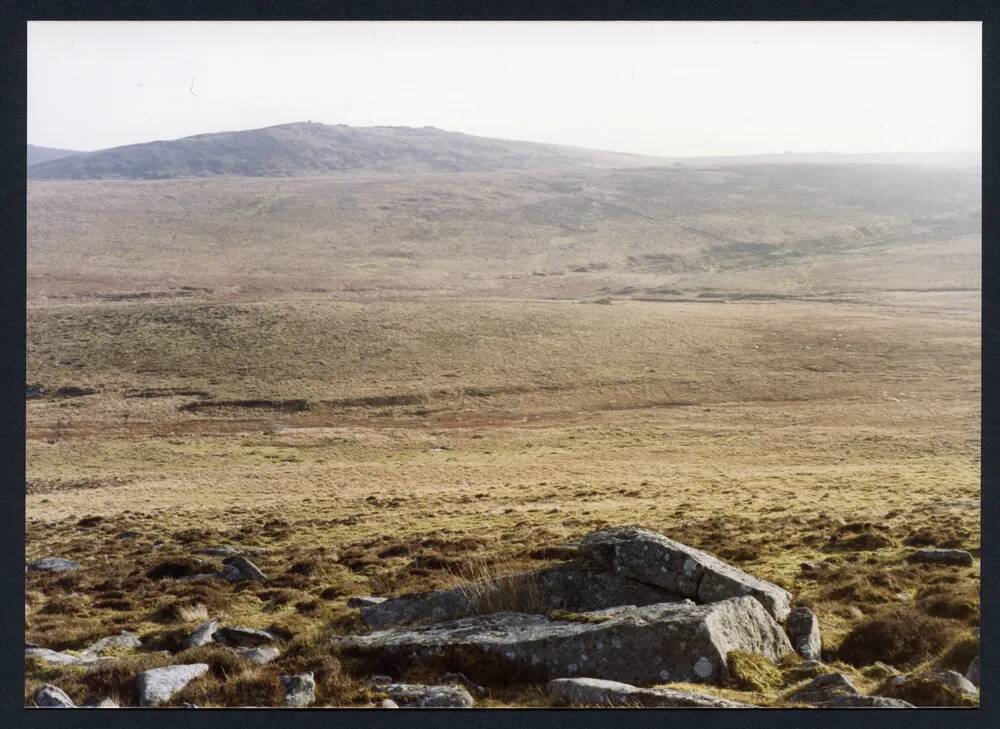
[381, 448]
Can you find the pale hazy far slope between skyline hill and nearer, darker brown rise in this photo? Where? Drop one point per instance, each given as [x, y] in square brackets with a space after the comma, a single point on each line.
[781, 229]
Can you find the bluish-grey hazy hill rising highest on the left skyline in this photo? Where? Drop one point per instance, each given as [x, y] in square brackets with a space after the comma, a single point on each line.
[309, 149]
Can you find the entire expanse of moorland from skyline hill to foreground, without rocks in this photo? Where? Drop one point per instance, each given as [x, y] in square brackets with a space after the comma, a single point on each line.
[382, 367]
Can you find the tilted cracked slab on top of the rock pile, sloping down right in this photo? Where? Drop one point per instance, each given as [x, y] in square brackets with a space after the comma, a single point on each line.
[656, 560]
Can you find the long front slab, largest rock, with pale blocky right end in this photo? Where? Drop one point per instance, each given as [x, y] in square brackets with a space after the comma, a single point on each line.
[651, 644]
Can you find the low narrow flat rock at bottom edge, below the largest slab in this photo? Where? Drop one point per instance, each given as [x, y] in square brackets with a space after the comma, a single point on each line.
[599, 692]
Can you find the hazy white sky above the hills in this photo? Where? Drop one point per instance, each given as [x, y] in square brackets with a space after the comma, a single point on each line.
[673, 89]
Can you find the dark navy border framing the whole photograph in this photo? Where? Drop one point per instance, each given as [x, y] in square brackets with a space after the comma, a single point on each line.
[12, 353]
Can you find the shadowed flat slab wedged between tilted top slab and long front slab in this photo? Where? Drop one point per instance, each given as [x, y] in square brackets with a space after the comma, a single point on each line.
[574, 586]
